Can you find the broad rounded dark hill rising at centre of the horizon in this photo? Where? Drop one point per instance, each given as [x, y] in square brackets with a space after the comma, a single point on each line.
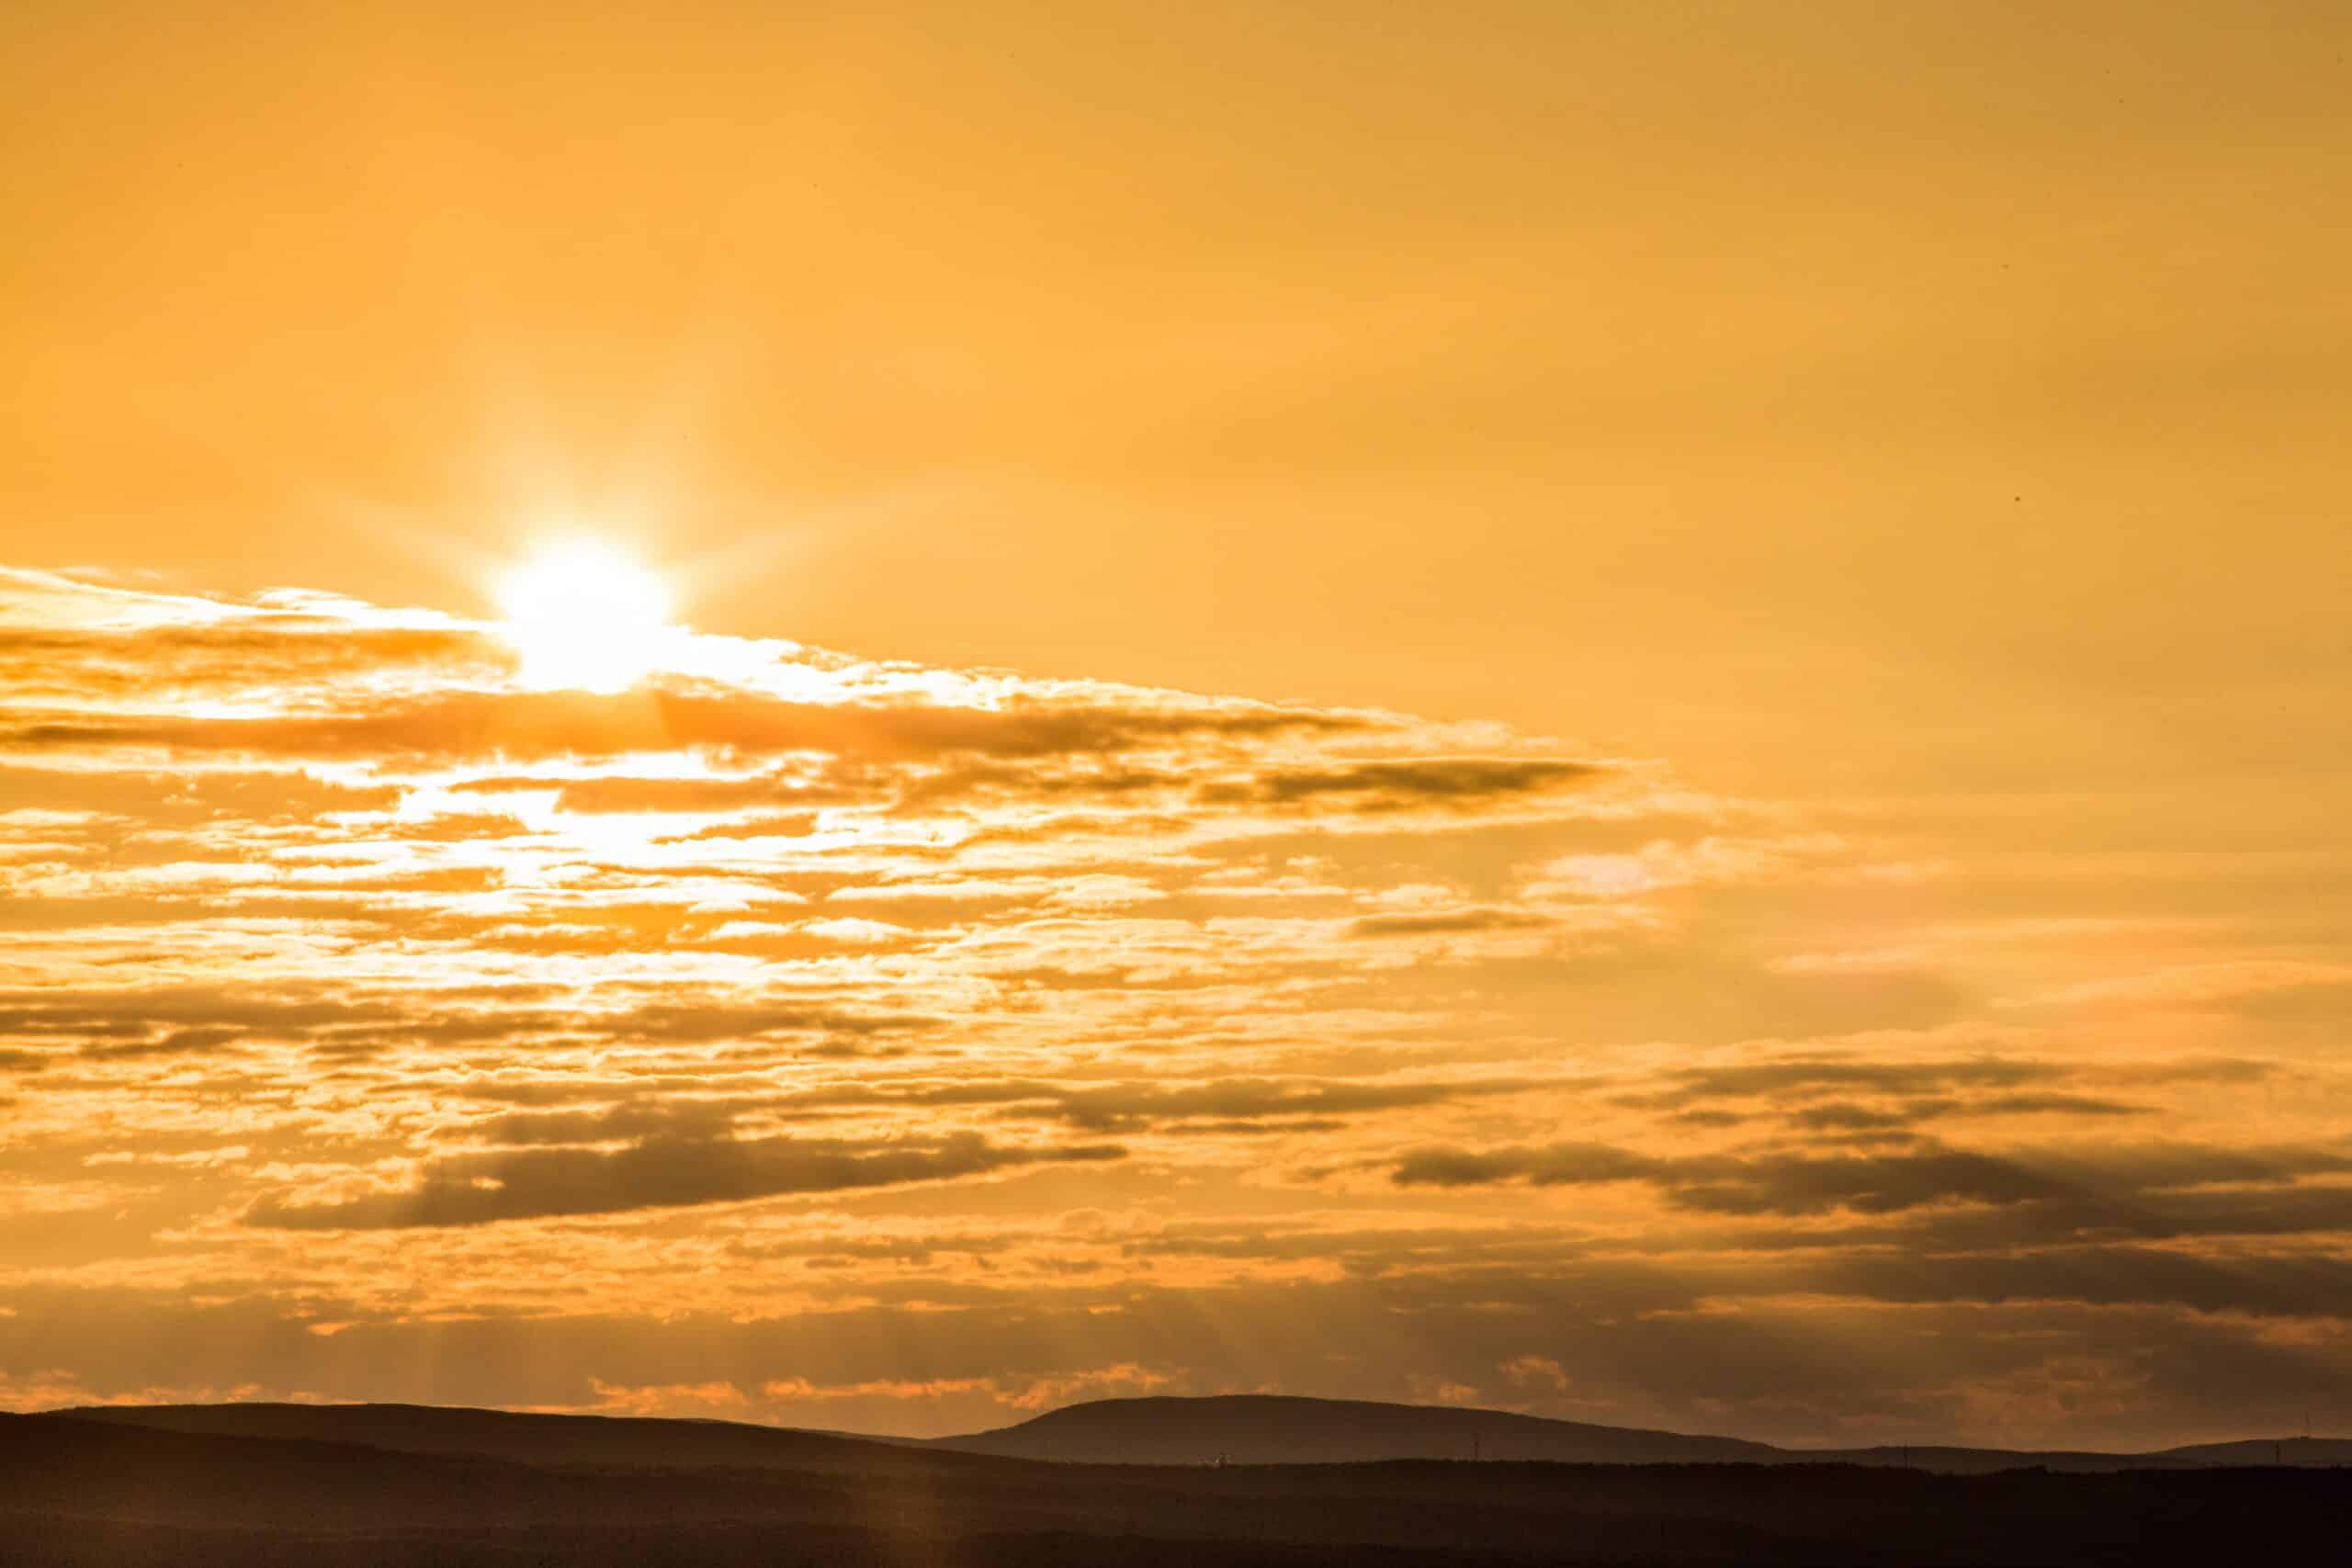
[1285, 1430]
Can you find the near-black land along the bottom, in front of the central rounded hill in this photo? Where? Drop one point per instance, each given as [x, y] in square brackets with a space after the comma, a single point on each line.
[401, 1485]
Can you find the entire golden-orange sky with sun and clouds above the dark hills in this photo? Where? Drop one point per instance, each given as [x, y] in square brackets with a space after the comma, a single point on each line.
[1631, 711]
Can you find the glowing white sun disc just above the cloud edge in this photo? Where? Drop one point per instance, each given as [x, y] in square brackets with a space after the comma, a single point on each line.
[587, 617]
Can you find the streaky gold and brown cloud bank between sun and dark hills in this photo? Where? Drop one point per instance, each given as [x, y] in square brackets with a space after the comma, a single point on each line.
[846, 1043]
